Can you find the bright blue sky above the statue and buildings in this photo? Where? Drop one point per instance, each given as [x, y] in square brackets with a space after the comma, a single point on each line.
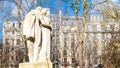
[54, 5]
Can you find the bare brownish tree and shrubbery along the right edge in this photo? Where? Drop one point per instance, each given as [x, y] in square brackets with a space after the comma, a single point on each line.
[111, 55]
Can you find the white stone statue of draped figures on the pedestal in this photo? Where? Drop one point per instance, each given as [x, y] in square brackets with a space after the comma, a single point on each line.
[36, 29]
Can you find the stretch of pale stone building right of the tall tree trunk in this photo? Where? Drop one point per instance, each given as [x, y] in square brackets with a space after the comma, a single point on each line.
[99, 31]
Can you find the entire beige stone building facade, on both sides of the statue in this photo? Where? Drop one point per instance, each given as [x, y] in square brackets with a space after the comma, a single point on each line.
[64, 47]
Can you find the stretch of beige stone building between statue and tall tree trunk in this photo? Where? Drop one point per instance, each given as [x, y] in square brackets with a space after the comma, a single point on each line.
[63, 40]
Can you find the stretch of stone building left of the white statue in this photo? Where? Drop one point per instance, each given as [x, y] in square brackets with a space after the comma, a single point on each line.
[11, 55]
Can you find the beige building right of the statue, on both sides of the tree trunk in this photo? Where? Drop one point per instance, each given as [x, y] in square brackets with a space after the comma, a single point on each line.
[96, 35]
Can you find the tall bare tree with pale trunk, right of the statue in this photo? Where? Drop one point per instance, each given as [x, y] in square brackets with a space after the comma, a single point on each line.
[87, 6]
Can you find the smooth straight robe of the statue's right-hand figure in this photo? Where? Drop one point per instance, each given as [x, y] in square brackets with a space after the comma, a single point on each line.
[45, 50]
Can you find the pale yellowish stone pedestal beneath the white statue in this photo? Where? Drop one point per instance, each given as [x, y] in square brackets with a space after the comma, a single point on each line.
[36, 65]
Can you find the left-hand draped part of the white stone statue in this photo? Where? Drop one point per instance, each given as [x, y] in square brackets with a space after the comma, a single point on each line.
[28, 31]
